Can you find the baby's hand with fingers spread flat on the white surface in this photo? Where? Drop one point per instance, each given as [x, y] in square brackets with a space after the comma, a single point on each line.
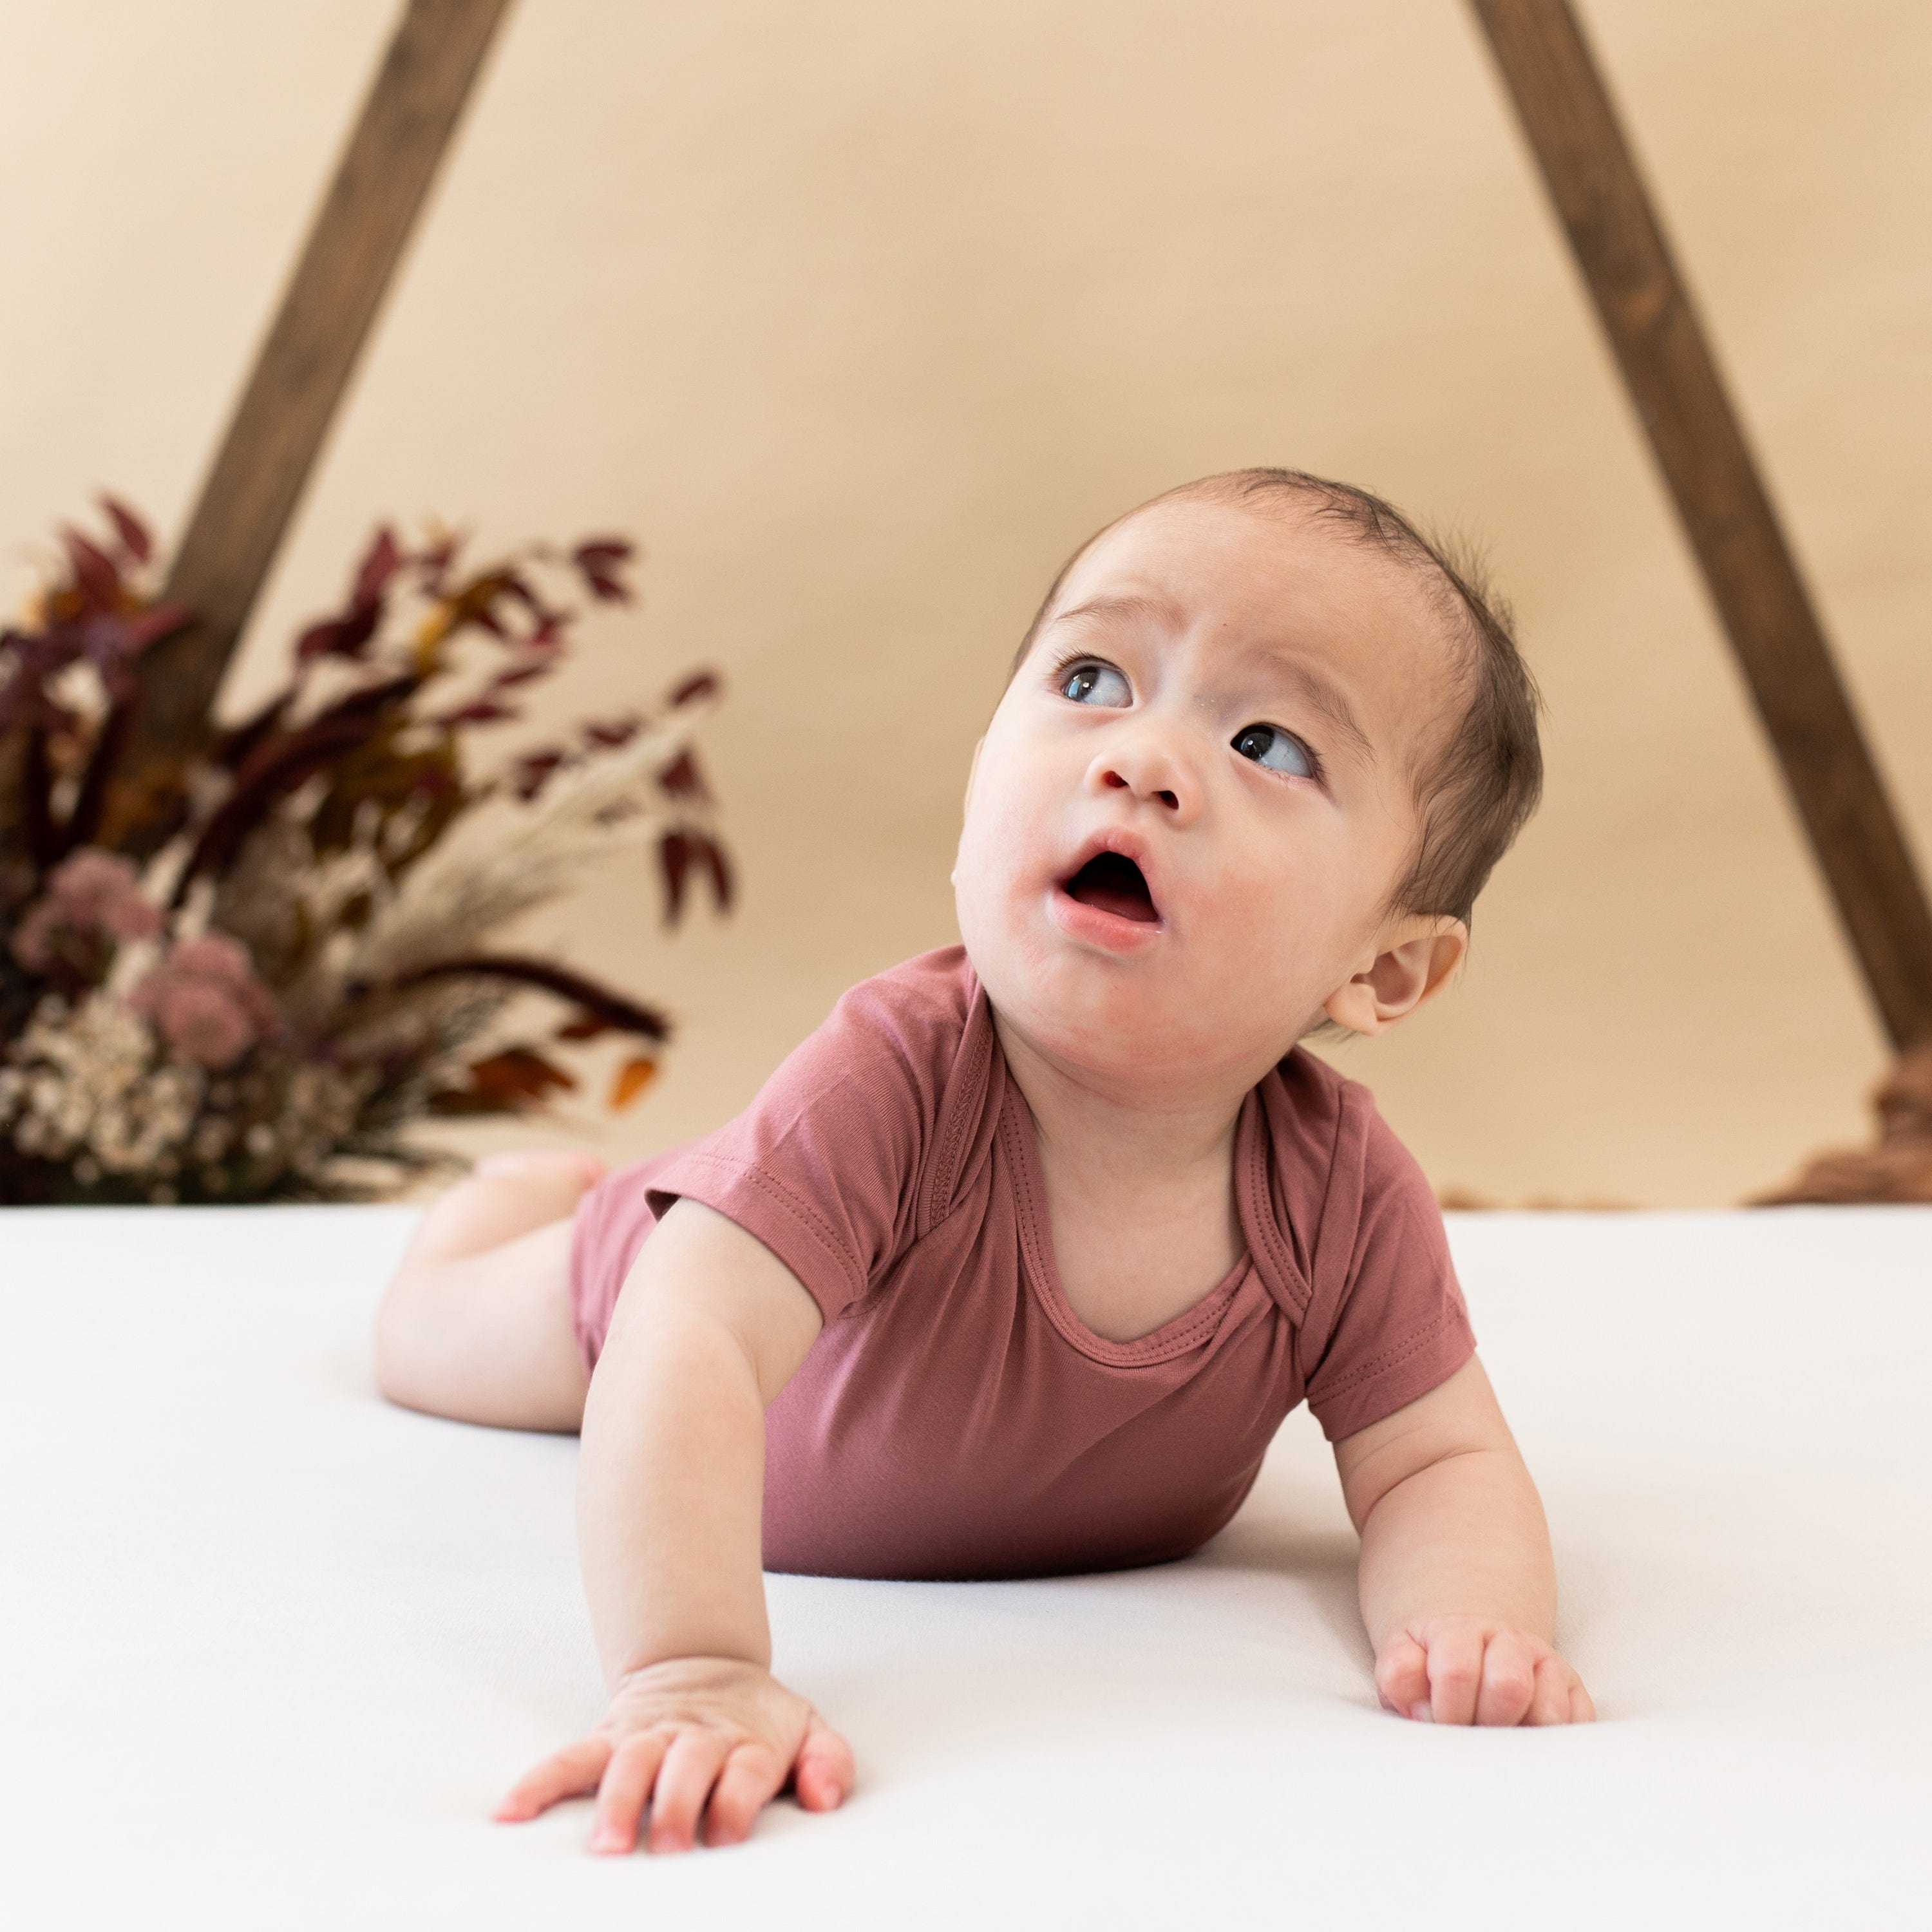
[673, 1734]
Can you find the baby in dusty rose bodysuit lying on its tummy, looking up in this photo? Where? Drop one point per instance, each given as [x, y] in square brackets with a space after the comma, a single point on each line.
[1015, 1266]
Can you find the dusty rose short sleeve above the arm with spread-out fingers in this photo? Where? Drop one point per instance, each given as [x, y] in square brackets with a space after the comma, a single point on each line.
[822, 1168]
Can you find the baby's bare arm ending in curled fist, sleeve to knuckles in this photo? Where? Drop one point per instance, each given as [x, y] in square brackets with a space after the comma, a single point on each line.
[1458, 1587]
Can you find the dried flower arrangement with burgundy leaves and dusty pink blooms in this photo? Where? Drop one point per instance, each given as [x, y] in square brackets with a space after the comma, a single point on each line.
[248, 979]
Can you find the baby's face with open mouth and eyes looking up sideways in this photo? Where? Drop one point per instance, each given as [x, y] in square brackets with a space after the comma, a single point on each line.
[1195, 799]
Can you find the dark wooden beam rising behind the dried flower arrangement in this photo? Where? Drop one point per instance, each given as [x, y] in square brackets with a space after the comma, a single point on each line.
[331, 300]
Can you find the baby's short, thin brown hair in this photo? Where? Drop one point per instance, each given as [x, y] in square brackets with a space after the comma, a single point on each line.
[1477, 789]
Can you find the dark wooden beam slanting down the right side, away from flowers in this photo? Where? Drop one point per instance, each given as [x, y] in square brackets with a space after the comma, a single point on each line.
[1726, 511]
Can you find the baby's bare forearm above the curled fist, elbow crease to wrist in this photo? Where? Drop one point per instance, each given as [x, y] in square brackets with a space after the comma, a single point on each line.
[1463, 1535]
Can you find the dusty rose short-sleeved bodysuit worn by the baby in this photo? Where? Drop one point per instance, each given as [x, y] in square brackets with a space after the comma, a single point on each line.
[955, 1417]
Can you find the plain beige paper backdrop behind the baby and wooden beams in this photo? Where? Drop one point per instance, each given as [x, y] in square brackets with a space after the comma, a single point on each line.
[863, 314]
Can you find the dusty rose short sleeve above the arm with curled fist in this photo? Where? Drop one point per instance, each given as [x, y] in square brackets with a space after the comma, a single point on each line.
[1402, 1328]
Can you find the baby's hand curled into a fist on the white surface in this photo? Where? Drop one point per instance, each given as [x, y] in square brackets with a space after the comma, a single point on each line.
[1475, 1670]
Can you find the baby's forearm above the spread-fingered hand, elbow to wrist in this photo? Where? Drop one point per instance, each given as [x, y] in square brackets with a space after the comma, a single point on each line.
[671, 1492]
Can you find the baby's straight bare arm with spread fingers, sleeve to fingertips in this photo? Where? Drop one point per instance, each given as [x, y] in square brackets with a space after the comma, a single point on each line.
[706, 1332]
